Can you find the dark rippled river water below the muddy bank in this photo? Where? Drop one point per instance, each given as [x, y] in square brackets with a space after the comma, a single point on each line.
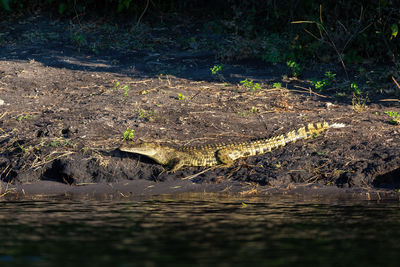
[198, 231]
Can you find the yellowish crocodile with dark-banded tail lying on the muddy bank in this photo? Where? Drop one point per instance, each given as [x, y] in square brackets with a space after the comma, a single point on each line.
[221, 154]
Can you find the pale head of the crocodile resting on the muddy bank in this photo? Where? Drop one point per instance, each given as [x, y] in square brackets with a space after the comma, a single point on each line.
[159, 153]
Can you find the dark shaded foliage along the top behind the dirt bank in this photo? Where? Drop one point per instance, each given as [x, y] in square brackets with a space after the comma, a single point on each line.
[350, 30]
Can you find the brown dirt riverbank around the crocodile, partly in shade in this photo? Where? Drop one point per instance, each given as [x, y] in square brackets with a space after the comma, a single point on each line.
[64, 106]
